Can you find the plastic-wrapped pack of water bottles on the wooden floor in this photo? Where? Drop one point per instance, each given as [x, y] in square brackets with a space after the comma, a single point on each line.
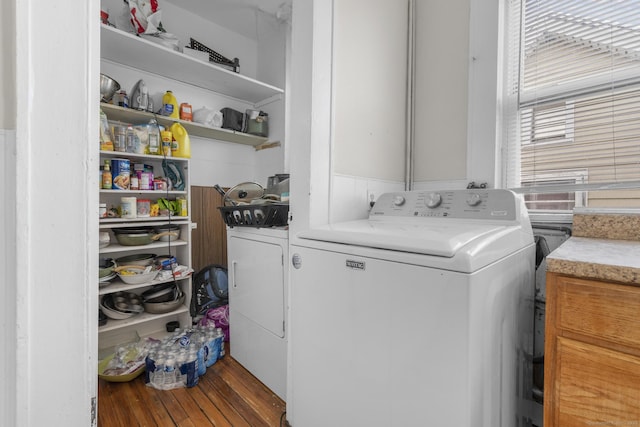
[180, 359]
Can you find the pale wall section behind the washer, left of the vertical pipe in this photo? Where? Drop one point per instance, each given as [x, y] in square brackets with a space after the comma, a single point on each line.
[369, 87]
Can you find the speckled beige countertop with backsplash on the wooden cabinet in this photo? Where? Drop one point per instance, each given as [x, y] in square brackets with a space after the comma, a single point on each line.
[603, 247]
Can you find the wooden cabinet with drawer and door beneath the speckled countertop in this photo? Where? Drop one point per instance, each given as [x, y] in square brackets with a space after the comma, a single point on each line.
[592, 353]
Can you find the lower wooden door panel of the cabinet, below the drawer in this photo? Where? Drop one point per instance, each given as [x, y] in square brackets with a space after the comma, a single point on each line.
[595, 386]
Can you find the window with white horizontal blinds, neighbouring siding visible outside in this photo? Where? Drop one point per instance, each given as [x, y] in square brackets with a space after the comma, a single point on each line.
[572, 105]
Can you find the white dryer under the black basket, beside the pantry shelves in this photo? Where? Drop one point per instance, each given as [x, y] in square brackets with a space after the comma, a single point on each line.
[257, 268]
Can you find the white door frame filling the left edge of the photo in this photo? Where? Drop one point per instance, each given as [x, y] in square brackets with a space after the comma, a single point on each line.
[51, 225]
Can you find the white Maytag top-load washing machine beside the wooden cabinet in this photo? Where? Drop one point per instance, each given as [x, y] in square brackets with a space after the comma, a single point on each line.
[420, 315]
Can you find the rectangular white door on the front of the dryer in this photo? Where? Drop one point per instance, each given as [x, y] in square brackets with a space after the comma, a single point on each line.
[256, 282]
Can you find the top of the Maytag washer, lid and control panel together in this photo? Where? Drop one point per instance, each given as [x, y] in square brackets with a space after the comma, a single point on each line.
[470, 227]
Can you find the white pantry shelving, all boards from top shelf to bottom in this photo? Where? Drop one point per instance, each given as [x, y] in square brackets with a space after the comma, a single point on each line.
[138, 53]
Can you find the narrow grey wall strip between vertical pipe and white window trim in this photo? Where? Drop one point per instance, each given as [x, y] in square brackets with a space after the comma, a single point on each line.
[441, 70]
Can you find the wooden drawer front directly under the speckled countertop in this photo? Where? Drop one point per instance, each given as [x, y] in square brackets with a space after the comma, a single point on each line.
[601, 310]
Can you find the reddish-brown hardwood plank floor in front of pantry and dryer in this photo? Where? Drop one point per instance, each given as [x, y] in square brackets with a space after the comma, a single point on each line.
[227, 395]
